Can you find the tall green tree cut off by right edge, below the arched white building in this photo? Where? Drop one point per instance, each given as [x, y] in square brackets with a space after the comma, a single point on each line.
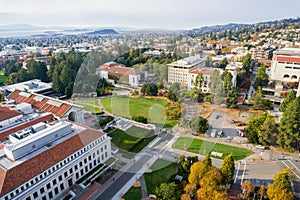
[288, 136]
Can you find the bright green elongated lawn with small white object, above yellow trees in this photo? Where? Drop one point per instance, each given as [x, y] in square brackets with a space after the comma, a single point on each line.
[205, 147]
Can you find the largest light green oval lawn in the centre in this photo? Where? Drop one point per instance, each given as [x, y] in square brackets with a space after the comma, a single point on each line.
[151, 108]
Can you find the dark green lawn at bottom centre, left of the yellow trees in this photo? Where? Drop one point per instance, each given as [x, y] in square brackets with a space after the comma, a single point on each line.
[162, 170]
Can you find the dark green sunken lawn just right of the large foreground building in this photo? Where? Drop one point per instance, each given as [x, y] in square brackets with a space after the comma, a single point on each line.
[133, 140]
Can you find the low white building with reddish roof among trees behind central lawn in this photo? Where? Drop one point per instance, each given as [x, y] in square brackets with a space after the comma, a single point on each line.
[120, 73]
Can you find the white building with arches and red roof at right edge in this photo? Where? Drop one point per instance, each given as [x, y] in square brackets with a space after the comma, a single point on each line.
[286, 65]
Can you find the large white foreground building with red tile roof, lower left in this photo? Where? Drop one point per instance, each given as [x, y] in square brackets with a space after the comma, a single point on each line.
[43, 161]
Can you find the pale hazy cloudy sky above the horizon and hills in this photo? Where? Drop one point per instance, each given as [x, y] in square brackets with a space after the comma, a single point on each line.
[167, 14]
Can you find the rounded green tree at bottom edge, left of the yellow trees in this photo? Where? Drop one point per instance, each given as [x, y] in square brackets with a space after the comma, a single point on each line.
[166, 191]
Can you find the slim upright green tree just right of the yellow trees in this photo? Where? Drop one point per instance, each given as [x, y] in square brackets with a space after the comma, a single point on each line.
[228, 169]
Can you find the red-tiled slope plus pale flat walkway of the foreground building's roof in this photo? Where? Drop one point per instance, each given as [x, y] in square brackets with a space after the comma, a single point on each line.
[15, 173]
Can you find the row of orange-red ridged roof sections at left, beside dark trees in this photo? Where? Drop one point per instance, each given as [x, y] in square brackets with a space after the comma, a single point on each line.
[40, 105]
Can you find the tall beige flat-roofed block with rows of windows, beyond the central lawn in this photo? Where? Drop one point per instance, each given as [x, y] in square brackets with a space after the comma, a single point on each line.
[178, 70]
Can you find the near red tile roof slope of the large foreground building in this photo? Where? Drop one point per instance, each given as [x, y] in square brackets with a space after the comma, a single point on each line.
[14, 177]
